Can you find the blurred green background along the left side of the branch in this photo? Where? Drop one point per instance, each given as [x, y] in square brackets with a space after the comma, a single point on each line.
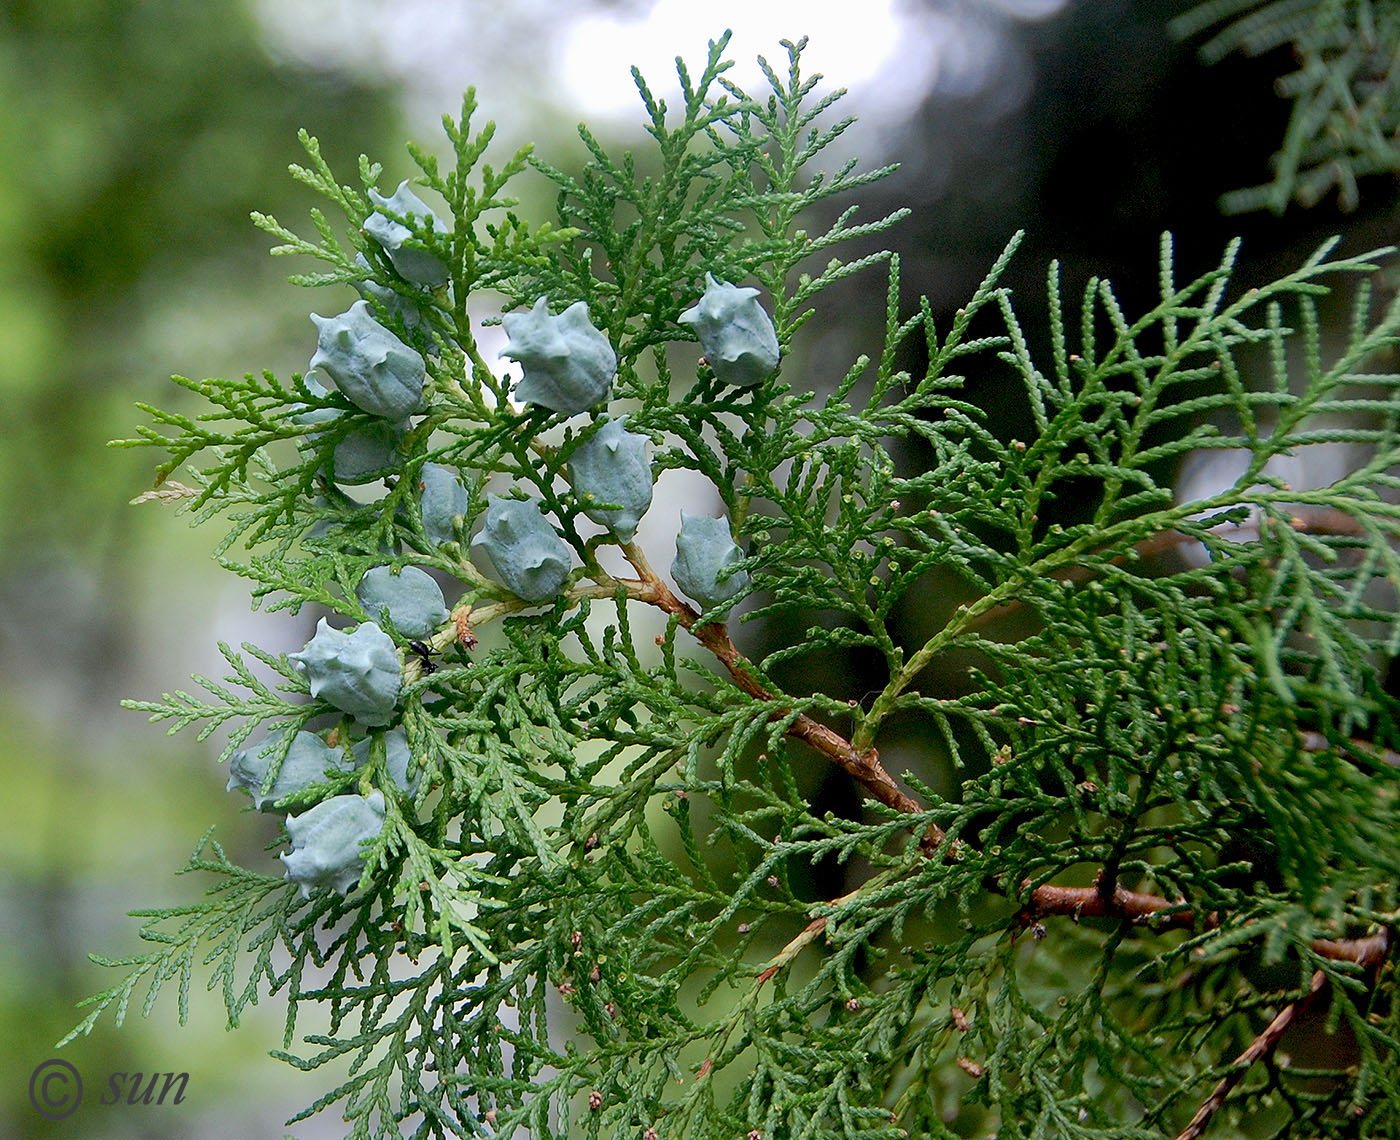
[136, 139]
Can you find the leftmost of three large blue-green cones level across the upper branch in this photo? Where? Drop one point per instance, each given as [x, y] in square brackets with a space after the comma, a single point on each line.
[376, 372]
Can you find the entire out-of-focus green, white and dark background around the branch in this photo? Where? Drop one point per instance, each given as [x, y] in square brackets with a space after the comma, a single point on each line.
[136, 139]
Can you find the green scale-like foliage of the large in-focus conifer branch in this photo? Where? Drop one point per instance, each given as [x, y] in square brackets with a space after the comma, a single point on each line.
[590, 919]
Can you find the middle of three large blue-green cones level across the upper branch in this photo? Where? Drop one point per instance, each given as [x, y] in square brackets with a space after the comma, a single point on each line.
[569, 365]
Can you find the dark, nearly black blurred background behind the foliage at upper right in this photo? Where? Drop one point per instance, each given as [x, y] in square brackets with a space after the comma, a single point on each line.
[1122, 135]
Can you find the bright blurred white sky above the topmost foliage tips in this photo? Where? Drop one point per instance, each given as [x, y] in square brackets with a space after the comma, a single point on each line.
[533, 58]
